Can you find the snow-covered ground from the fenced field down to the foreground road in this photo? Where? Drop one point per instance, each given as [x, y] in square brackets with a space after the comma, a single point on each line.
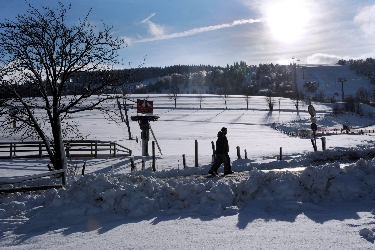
[311, 200]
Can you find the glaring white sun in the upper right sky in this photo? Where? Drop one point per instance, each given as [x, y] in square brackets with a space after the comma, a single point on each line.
[288, 19]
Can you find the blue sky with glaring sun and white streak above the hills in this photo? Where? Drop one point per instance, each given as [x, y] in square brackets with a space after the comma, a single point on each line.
[221, 32]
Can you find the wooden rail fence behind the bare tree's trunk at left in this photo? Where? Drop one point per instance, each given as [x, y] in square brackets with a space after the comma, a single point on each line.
[84, 148]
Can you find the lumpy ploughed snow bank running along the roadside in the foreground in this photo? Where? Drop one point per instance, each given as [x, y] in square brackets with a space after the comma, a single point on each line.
[138, 195]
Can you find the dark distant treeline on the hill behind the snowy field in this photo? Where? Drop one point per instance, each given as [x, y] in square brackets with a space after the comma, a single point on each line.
[237, 79]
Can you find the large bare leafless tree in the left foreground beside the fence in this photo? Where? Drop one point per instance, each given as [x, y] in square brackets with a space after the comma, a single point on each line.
[39, 55]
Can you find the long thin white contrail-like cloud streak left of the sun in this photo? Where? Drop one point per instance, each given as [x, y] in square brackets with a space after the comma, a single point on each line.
[198, 30]
